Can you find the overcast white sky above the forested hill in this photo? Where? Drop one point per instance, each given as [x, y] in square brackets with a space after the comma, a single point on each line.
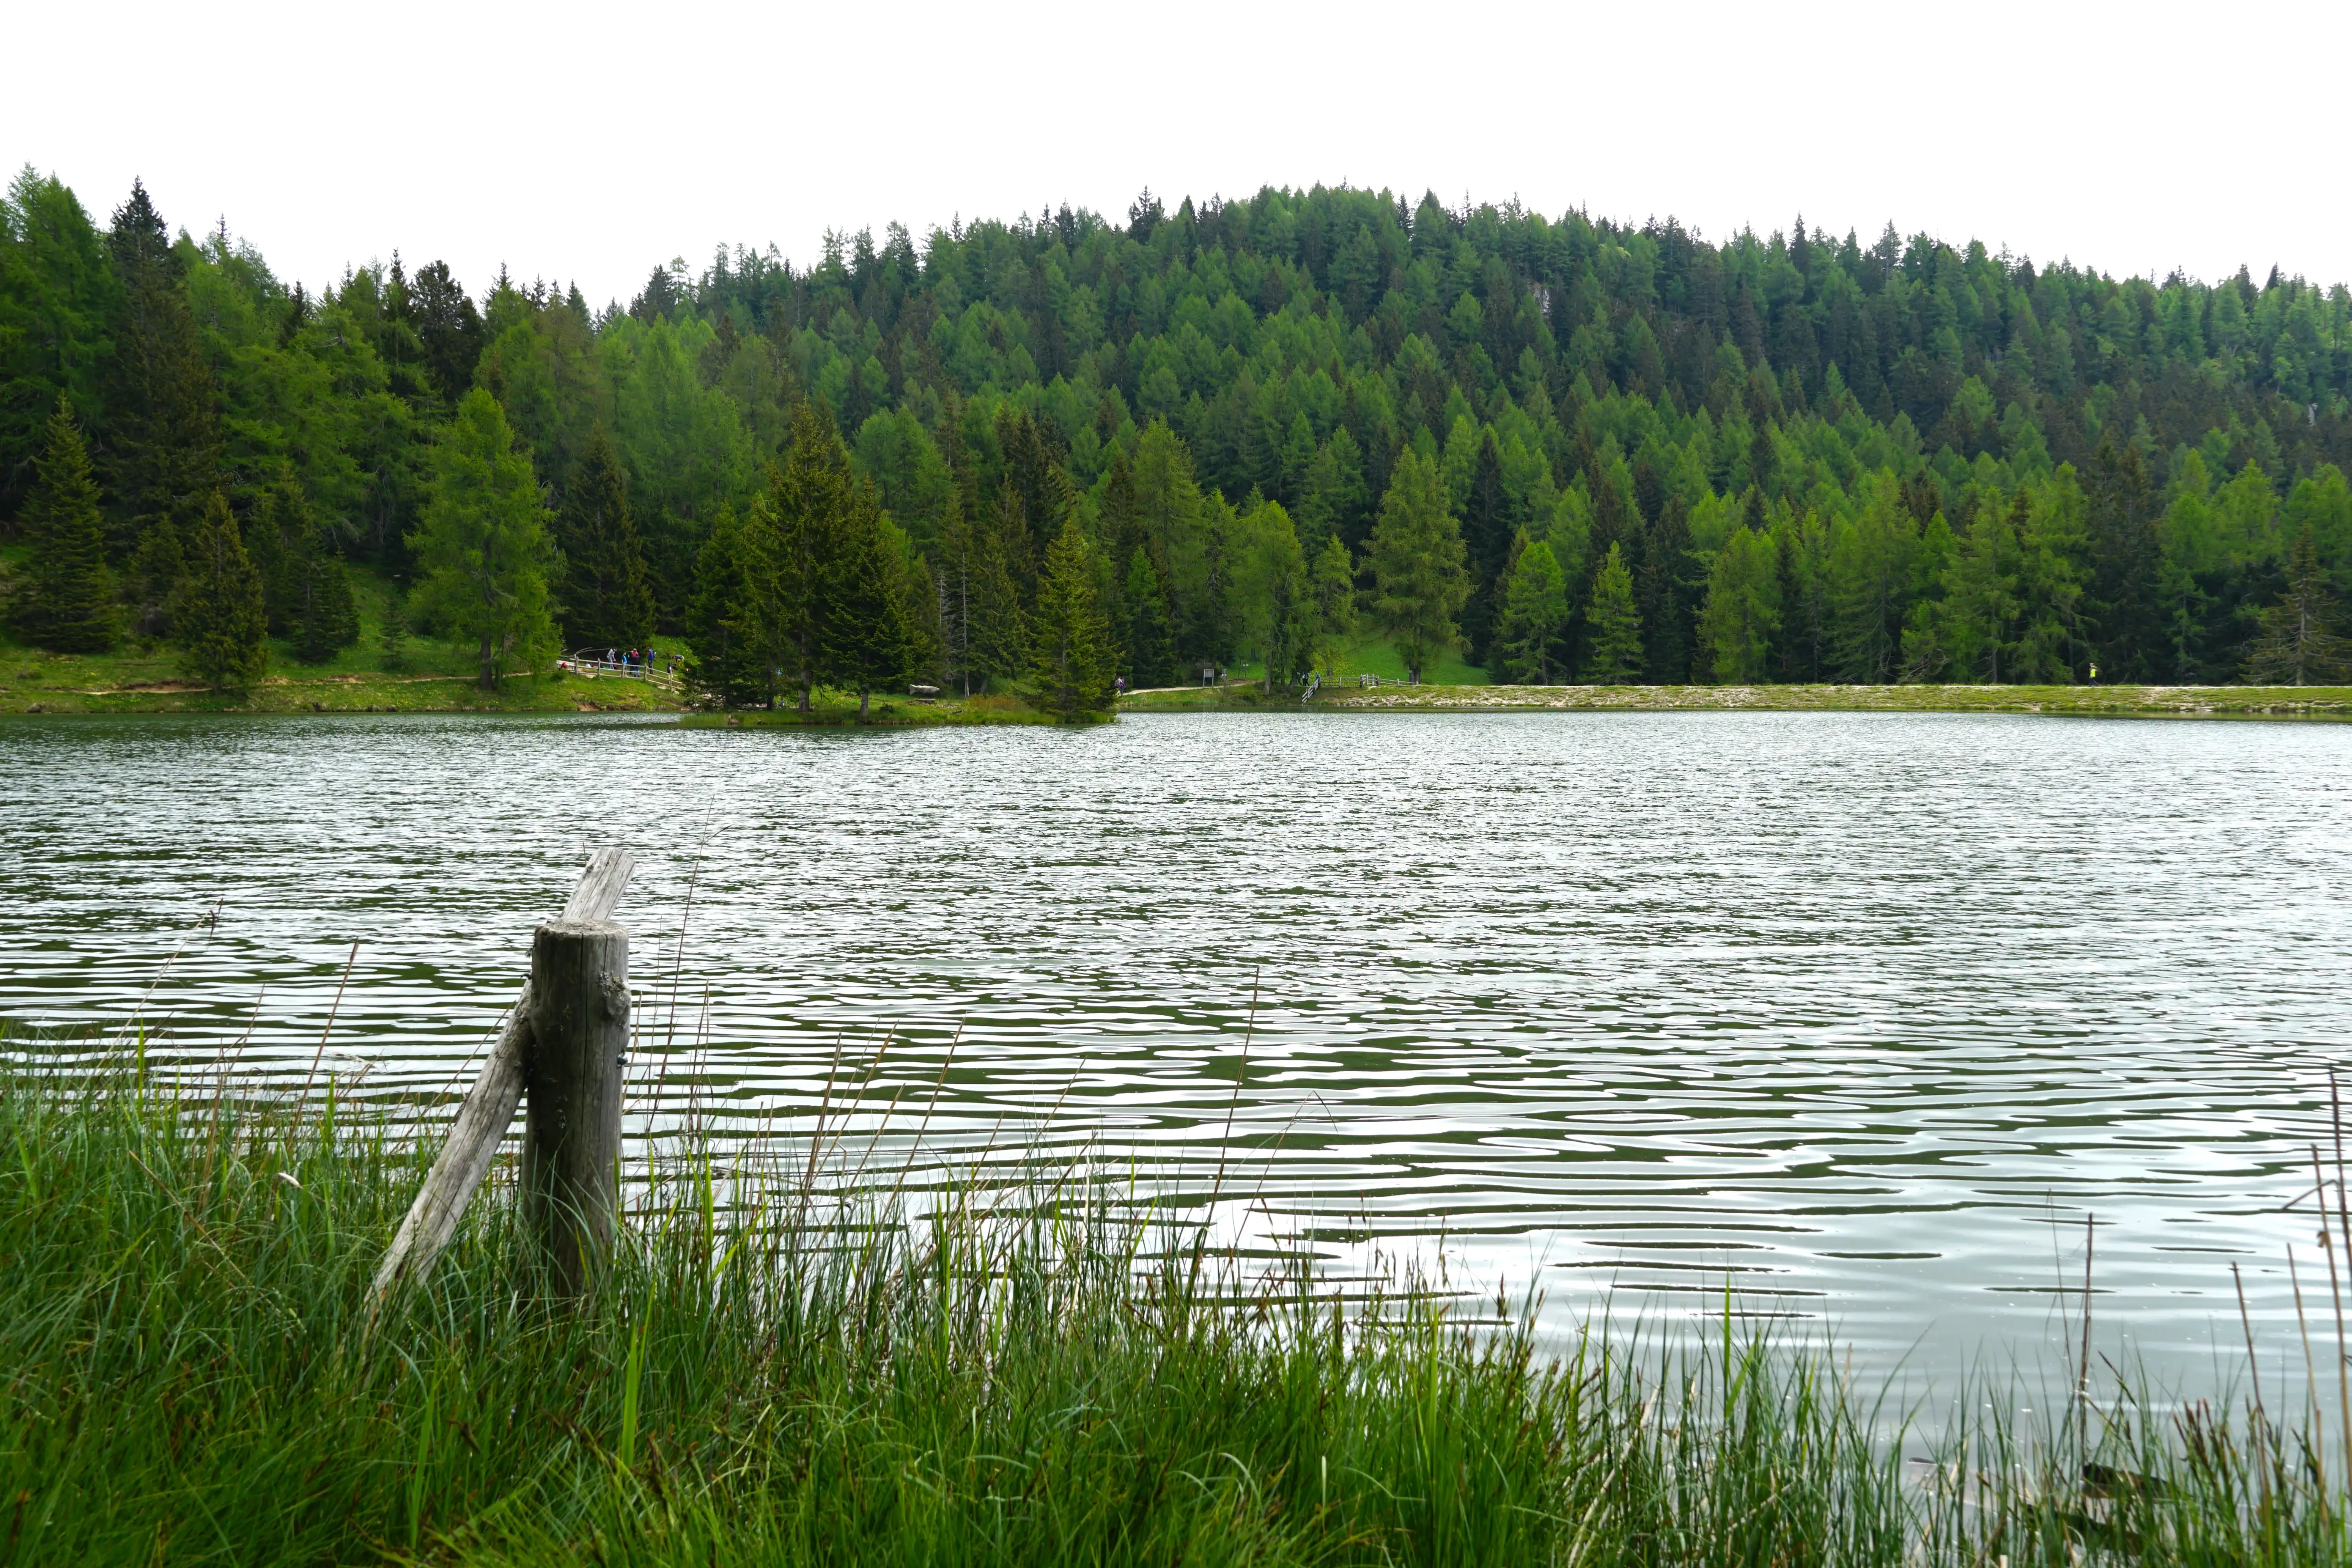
[592, 142]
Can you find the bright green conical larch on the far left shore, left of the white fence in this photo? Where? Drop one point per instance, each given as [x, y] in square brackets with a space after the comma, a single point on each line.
[483, 551]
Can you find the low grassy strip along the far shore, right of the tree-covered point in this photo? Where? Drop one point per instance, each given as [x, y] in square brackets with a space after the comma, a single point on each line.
[2106, 702]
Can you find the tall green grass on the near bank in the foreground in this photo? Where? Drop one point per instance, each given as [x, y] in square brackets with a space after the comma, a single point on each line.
[1024, 1376]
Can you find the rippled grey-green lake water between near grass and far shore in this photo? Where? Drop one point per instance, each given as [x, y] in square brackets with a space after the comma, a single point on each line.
[1855, 1012]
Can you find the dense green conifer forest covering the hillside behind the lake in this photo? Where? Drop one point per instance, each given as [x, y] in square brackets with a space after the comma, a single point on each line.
[1062, 450]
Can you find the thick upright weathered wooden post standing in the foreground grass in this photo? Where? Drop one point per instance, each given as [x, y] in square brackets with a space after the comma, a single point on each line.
[573, 1094]
